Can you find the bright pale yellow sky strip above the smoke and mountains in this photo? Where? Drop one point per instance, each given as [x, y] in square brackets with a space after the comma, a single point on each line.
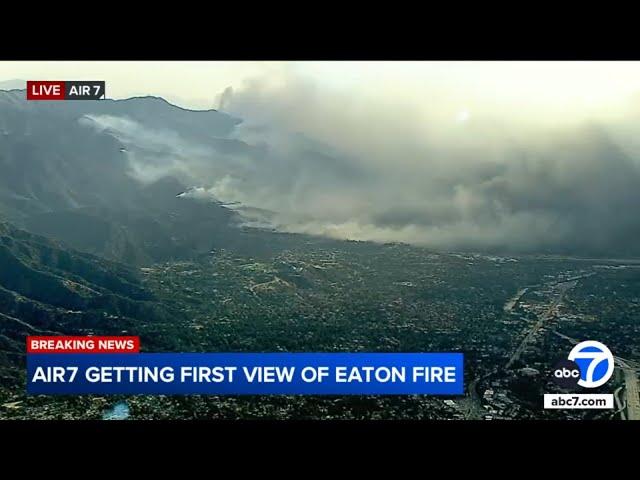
[558, 89]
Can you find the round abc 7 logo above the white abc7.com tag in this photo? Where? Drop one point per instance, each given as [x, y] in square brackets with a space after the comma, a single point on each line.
[590, 364]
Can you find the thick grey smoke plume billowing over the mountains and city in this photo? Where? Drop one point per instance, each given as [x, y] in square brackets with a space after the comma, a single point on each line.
[330, 162]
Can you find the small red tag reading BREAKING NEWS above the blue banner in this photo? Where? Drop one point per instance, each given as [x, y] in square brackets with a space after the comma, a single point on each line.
[116, 344]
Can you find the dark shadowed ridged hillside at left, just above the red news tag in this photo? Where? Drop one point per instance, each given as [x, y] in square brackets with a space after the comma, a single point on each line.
[49, 290]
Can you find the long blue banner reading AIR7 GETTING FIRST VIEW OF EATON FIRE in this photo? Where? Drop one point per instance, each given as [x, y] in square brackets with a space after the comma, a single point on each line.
[246, 373]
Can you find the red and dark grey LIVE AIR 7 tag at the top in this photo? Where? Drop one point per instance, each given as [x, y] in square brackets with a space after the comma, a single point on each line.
[66, 90]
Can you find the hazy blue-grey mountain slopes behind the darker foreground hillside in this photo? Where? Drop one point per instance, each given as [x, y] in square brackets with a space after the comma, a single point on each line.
[65, 177]
